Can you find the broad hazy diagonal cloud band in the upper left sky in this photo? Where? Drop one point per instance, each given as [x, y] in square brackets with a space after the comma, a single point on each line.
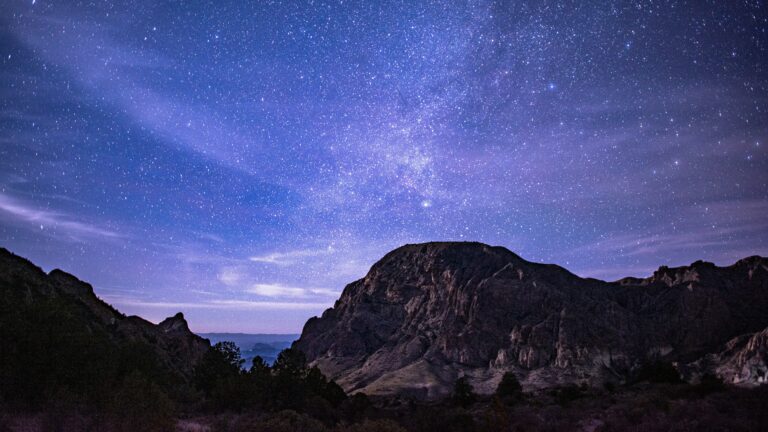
[95, 67]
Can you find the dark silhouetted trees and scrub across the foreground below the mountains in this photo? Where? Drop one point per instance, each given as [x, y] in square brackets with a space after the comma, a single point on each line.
[291, 396]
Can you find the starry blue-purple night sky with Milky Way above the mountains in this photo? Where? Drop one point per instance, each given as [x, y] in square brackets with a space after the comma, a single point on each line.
[242, 161]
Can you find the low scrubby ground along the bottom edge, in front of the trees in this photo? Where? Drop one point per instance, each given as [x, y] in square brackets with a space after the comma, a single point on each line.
[641, 407]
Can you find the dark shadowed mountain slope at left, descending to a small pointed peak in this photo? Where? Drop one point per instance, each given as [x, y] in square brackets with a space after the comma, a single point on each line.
[58, 335]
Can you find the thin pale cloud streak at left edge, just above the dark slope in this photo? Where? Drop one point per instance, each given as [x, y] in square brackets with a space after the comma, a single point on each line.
[53, 223]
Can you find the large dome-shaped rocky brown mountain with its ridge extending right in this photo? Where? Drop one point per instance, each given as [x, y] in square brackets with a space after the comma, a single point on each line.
[426, 314]
